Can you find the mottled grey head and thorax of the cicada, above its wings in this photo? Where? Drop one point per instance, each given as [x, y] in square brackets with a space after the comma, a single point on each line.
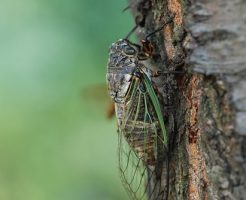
[123, 59]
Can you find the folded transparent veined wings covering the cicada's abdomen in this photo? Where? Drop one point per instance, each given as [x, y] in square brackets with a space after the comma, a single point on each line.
[141, 137]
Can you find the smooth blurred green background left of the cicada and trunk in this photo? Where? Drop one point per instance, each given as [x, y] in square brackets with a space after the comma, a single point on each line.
[55, 140]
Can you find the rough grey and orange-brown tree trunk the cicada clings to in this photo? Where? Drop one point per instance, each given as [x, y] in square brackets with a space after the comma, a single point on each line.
[207, 38]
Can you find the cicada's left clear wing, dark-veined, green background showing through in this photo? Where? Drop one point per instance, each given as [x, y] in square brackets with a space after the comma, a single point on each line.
[132, 169]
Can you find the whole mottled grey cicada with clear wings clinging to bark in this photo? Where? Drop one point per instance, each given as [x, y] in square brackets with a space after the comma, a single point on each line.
[141, 129]
